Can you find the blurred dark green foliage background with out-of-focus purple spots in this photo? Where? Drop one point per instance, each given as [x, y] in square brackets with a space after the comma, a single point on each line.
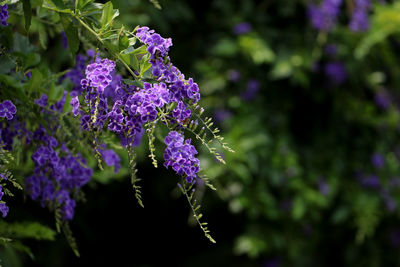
[314, 119]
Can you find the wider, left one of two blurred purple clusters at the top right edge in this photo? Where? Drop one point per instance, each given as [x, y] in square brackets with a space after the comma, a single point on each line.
[324, 16]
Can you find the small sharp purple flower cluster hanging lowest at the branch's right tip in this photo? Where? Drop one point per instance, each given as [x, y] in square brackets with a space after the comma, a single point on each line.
[180, 155]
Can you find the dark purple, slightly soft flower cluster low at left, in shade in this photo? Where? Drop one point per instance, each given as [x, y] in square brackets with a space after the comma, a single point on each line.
[57, 175]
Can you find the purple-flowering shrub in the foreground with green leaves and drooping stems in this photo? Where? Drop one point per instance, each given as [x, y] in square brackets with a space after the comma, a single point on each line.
[124, 87]
